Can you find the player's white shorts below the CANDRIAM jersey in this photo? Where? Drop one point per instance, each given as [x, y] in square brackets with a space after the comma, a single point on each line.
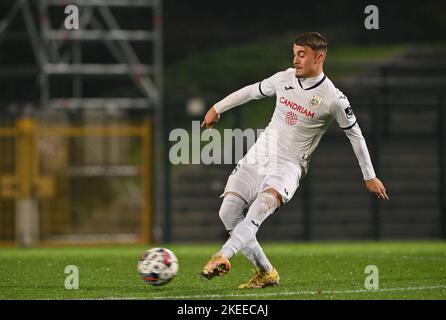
[248, 180]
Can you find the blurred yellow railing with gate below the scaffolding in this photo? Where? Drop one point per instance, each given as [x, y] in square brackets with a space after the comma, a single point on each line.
[50, 205]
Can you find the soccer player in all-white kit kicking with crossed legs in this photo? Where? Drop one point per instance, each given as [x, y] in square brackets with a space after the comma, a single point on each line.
[306, 103]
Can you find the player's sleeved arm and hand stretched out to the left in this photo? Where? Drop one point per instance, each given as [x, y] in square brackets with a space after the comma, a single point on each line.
[262, 89]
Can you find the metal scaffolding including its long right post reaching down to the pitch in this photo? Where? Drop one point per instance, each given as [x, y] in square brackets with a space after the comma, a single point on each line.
[104, 28]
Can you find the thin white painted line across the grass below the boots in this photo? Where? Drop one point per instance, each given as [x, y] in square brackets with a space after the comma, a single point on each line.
[293, 293]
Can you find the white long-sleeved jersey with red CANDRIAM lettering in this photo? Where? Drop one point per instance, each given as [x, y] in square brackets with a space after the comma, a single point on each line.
[304, 110]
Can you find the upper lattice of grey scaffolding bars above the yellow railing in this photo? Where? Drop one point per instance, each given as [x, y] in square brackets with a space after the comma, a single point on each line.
[99, 22]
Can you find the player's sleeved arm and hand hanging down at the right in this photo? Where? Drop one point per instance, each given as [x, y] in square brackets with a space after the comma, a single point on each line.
[343, 113]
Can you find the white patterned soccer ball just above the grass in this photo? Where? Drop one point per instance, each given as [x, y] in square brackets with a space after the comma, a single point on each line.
[158, 266]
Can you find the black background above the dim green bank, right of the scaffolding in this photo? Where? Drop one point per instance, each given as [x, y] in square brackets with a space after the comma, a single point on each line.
[193, 26]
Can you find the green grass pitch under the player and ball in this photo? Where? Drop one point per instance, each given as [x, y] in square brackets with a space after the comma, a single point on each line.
[332, 270]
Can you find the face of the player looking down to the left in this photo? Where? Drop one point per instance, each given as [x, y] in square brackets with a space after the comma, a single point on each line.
[306, 62]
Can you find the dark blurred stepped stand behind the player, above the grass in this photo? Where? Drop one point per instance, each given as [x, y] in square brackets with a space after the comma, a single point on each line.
[400, 105]
